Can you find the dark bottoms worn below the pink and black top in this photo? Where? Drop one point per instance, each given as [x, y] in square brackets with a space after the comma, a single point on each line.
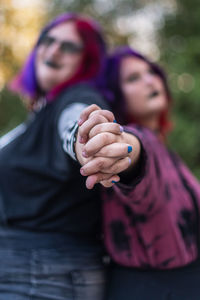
[132, 284]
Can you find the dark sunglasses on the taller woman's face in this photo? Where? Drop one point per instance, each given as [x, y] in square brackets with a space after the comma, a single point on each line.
[65, 46]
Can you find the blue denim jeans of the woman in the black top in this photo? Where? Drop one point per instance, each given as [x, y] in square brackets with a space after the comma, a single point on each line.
[49, 273]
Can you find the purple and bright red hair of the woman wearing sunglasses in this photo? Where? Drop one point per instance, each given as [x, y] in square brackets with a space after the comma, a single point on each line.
[26, 83]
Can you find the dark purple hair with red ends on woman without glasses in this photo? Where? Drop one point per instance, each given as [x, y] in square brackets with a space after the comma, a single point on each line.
[112, 78]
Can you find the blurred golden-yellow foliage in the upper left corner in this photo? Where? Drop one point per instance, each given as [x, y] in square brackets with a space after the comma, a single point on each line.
[19, 26]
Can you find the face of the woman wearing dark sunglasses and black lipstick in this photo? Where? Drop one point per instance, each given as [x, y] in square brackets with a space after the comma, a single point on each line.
[58, 56]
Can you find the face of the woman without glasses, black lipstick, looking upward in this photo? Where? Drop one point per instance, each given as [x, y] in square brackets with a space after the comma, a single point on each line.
[143, 90]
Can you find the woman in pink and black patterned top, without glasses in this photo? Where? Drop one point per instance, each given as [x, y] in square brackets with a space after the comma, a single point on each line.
[151, 217]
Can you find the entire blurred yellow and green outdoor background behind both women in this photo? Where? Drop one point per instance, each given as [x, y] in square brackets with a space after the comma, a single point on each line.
[167, 31]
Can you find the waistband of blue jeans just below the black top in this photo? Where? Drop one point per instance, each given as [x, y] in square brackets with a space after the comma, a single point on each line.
[24, 239]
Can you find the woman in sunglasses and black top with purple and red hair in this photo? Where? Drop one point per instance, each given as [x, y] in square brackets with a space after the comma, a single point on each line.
[50, 223]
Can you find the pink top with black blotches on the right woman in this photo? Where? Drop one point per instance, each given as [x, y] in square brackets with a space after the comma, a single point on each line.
[154, 221]
